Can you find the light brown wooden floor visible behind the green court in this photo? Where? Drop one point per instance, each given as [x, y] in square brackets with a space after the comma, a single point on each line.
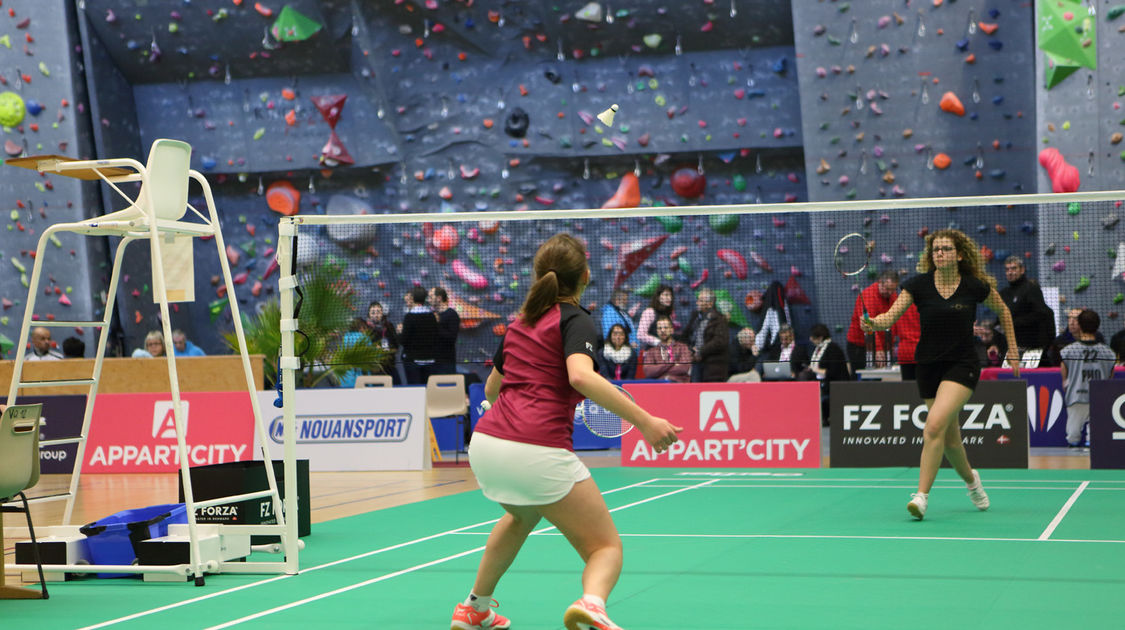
[334, 496]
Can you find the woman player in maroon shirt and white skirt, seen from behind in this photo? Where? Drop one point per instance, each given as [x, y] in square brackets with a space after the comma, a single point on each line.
[523, 452]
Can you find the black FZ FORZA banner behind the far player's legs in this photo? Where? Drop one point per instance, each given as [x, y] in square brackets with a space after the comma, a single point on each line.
[881, 425]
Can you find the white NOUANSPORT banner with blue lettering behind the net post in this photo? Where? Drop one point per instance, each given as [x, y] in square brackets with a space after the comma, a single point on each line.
[371, 429]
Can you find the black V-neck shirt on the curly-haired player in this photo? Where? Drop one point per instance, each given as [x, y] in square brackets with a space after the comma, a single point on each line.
[947, 325]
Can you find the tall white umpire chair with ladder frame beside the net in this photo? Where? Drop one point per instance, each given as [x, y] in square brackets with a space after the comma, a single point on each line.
[159, 213]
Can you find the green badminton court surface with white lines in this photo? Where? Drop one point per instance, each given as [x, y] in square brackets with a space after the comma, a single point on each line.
[732, 550]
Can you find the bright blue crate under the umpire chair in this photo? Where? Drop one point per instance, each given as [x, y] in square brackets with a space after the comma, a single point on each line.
[112, 541]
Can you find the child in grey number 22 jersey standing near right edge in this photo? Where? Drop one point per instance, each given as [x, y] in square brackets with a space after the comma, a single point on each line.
[1083, 362]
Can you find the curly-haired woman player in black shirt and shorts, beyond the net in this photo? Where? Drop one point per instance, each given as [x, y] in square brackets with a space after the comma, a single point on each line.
[951, 282]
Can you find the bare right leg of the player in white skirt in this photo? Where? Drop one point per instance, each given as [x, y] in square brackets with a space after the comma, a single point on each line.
[586, 521]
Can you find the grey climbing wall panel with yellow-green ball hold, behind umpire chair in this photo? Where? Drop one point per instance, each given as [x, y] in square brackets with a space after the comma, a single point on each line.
[42, 104]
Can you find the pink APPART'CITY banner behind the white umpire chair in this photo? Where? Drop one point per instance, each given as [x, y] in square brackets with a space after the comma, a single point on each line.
[137, 433]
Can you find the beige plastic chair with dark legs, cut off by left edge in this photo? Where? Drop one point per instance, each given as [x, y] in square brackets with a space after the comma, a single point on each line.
[20, 470]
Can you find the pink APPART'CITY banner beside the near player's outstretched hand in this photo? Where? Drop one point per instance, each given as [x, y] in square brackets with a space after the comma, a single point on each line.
[732, 426]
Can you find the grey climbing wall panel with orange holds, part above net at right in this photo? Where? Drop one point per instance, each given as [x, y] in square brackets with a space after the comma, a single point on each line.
[926, 100]
